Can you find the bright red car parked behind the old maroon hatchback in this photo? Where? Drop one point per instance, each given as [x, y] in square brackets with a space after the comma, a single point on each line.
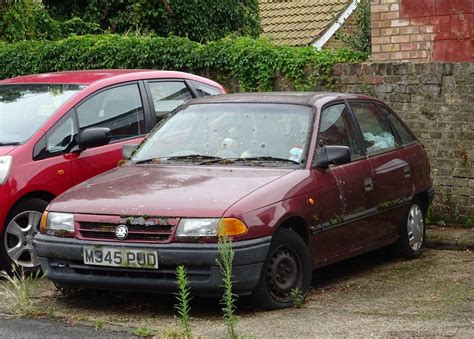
[59, 129]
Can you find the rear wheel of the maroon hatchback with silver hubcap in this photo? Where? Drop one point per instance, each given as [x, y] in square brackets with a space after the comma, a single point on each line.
[412, 231]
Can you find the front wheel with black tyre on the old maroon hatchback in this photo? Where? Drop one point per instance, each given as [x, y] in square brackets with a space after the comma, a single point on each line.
[286, 267]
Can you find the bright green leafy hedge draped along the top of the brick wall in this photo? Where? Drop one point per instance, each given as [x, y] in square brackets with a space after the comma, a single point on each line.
[252, 63]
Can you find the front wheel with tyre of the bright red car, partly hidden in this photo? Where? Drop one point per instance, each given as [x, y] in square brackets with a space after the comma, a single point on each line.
[16, 243]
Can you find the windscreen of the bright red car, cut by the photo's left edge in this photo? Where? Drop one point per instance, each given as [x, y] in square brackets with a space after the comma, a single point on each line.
[24, 108]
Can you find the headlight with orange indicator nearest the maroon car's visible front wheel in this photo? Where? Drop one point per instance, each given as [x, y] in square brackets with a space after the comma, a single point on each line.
[210, 227]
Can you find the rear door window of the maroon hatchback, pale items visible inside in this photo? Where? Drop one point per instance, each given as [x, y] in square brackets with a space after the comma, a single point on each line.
[376, 130]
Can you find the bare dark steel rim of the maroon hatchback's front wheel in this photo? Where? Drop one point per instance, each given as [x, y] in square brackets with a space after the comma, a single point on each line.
[284, 274]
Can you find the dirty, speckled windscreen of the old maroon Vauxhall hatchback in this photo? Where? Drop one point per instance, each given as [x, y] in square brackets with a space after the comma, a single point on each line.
[231, 133]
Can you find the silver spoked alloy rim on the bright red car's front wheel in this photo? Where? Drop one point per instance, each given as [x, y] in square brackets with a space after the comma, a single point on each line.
[19, 236]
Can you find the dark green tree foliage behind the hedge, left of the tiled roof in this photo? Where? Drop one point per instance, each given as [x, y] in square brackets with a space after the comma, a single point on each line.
[200, 20]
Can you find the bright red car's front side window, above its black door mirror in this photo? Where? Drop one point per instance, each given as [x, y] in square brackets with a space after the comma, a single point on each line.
[118, 108]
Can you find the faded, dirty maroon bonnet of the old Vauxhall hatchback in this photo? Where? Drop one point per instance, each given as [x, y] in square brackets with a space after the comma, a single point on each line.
[189, 191]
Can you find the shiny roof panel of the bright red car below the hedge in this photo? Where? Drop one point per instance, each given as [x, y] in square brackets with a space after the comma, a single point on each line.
[87, 77]
